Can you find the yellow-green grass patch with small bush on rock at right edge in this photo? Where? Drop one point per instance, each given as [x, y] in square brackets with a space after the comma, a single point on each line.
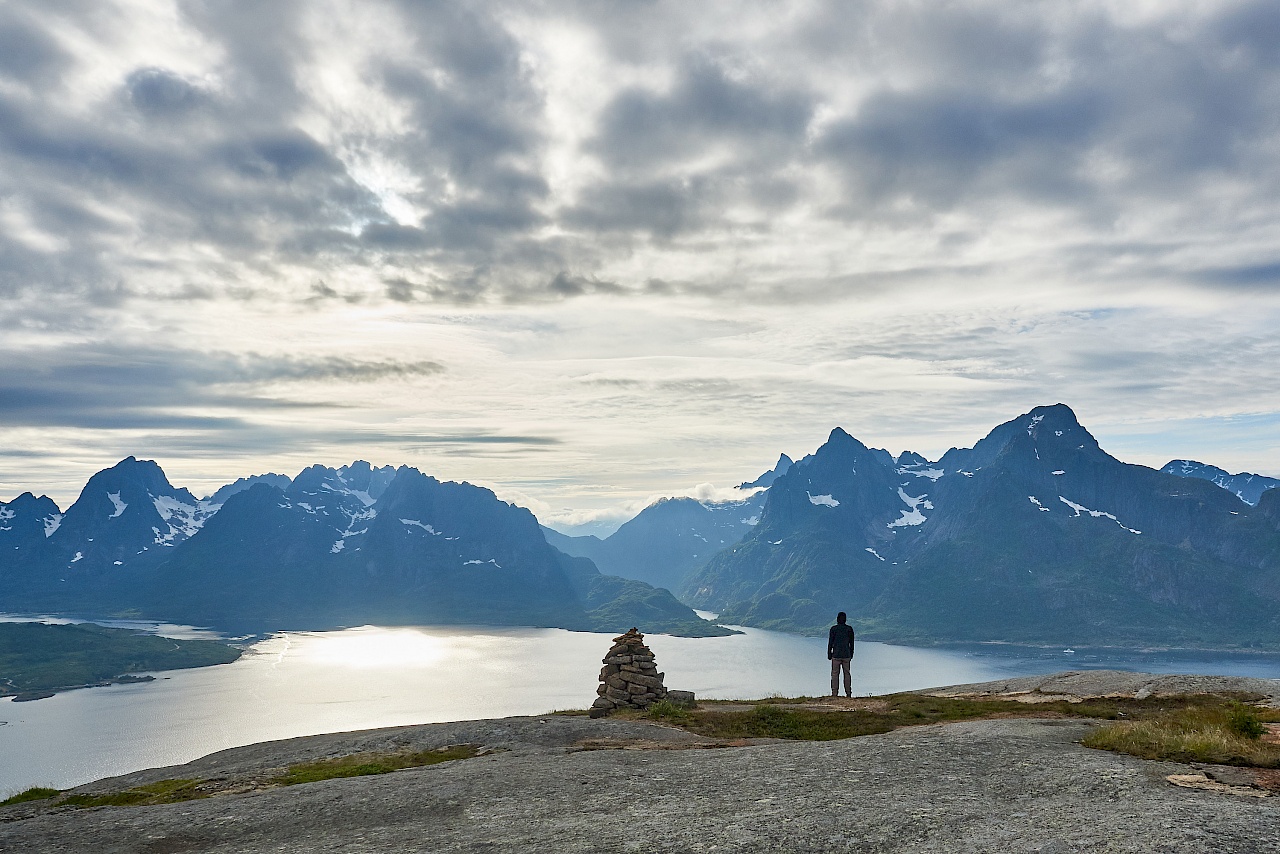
[1228, 736]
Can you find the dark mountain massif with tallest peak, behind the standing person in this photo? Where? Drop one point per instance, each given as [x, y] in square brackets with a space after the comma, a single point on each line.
[1034, 536]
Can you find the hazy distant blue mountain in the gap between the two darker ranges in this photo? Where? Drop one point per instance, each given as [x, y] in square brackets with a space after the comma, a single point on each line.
[668, 541]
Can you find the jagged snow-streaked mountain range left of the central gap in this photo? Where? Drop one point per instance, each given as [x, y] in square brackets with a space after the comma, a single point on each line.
[335, 547]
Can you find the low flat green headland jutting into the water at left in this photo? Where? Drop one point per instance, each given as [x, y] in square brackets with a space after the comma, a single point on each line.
[40, 659]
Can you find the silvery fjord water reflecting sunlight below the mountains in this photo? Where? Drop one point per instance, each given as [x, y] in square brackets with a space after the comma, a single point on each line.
[308, 683]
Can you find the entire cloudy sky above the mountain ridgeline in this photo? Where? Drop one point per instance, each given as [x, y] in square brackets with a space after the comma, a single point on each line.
[592, 253]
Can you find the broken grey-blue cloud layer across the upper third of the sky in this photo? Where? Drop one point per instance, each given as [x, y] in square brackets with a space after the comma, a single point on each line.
[843, 115]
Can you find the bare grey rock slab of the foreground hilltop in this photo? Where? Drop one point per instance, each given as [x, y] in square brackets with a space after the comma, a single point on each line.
[572, 784]
